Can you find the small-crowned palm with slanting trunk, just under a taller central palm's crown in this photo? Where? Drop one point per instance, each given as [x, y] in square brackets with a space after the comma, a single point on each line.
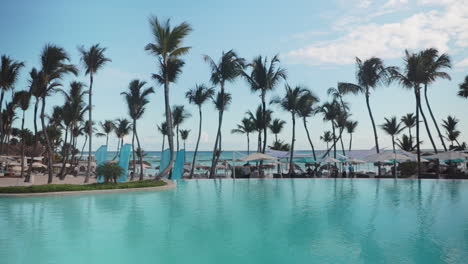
[221, 103]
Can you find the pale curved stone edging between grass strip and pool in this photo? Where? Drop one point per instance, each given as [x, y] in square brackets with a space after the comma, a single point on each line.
[169, 185]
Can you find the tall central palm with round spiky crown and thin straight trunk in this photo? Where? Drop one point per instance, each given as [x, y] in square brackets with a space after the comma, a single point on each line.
[264, 77]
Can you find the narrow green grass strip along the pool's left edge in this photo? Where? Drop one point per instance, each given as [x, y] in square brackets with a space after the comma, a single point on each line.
[76, 187]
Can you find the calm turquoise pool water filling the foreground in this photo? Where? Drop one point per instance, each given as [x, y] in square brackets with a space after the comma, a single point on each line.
[244, 221]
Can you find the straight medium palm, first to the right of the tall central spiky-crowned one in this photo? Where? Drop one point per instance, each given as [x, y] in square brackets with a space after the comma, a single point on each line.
[291, 103]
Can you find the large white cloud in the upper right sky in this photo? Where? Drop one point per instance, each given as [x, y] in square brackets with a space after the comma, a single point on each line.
[443, 30]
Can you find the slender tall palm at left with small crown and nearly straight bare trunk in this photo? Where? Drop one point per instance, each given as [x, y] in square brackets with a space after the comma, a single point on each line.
[93, 59]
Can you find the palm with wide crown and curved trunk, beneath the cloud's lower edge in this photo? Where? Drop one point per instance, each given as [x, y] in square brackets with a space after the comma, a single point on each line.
[369, 75]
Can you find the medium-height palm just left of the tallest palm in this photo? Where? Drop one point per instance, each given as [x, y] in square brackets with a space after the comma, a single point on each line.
[137, 98]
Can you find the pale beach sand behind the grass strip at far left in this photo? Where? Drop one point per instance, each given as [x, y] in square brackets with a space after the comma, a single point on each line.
[42, 179]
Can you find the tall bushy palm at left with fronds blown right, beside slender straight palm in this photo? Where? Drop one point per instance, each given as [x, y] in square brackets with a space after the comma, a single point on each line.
[54, 66]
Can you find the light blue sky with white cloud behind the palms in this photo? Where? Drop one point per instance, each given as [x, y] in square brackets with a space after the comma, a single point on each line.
[317, 43]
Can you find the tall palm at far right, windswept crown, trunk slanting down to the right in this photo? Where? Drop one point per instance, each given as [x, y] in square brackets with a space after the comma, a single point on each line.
[433, 64]
